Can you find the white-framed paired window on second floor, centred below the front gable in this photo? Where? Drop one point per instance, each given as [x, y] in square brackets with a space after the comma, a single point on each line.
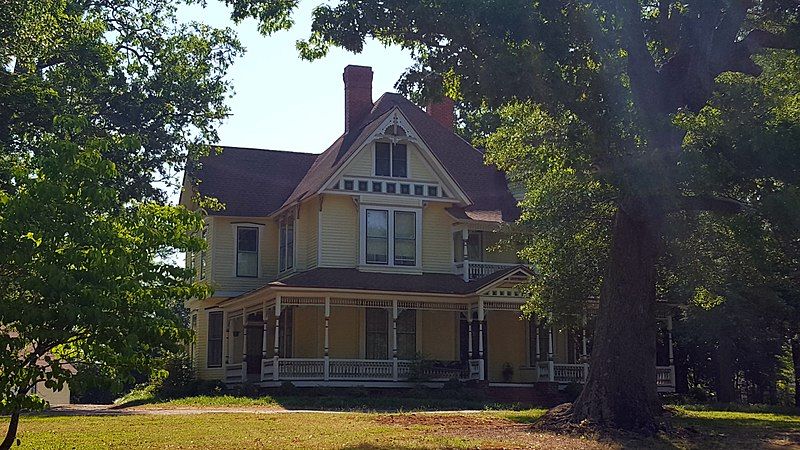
[391, 237]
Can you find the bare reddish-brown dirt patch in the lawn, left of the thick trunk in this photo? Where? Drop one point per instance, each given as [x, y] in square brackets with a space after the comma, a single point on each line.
[493, 432]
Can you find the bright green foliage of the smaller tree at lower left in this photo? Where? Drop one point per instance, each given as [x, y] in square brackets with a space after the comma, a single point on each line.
[84, 275]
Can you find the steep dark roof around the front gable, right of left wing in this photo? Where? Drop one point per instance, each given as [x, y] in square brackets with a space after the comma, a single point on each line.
[484, 185]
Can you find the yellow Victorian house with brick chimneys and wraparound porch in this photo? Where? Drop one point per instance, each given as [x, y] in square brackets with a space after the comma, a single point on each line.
[372, 263]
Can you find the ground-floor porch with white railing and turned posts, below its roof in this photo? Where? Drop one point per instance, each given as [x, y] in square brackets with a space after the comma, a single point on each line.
[399, 340]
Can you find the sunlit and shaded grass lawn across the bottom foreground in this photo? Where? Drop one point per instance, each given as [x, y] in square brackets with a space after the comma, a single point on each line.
[694, 428]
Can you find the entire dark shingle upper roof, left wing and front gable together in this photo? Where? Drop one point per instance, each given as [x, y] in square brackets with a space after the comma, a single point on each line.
[259, 182]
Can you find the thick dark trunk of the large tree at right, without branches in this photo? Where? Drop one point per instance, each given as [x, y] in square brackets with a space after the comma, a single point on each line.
[620, 391]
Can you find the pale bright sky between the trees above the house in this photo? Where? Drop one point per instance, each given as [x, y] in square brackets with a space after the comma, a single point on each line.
[282, 102]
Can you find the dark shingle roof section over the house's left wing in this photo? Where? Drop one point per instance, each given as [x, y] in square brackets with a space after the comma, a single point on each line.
[251, 182]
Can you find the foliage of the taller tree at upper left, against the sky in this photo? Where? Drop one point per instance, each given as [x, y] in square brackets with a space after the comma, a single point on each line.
[126, 66]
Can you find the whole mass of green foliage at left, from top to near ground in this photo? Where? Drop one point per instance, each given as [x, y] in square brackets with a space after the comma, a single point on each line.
[102, 104]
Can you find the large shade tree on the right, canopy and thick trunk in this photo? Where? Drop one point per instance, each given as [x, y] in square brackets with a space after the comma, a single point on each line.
[612, 103]
